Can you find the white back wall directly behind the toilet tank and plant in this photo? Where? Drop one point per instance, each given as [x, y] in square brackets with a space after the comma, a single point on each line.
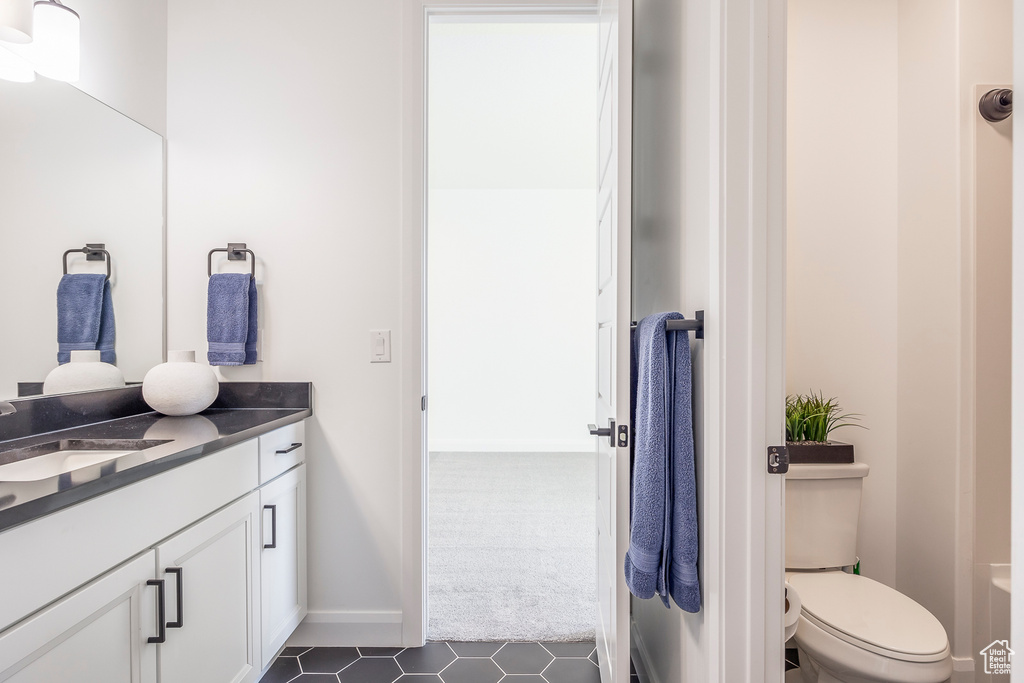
[842, 238]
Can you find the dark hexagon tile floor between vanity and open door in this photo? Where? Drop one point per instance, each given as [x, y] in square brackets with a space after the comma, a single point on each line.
[439, 663]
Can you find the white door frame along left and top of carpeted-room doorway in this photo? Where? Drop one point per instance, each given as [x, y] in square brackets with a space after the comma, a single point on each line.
[413, 343]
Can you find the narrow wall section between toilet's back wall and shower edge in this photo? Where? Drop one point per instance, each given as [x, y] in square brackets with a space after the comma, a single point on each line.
[929, 298]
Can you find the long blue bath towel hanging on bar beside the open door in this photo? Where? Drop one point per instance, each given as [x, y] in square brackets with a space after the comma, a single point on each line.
[663, 554]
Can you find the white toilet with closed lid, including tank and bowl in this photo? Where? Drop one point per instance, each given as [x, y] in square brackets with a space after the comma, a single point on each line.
[851, 629]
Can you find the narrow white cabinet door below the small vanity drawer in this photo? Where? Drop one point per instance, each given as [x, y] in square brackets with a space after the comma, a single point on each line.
[283, 560]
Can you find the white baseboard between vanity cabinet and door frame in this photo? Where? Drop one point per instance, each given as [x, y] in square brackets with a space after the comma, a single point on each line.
[349, 629]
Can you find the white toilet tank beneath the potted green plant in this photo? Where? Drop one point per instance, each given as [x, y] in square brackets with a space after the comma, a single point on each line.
[823, 507]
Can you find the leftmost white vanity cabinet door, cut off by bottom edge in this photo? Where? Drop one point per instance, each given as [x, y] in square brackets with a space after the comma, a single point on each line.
[99, 634]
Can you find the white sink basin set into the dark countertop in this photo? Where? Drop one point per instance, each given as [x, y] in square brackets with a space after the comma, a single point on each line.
[57, 458]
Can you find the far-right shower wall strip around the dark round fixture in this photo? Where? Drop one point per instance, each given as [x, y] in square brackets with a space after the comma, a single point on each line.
[987, 173]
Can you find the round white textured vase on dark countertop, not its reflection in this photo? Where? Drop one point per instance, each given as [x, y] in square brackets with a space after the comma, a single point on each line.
[181, 387]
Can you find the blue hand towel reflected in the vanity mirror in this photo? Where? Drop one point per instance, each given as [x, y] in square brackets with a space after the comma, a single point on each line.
[86, 317]
